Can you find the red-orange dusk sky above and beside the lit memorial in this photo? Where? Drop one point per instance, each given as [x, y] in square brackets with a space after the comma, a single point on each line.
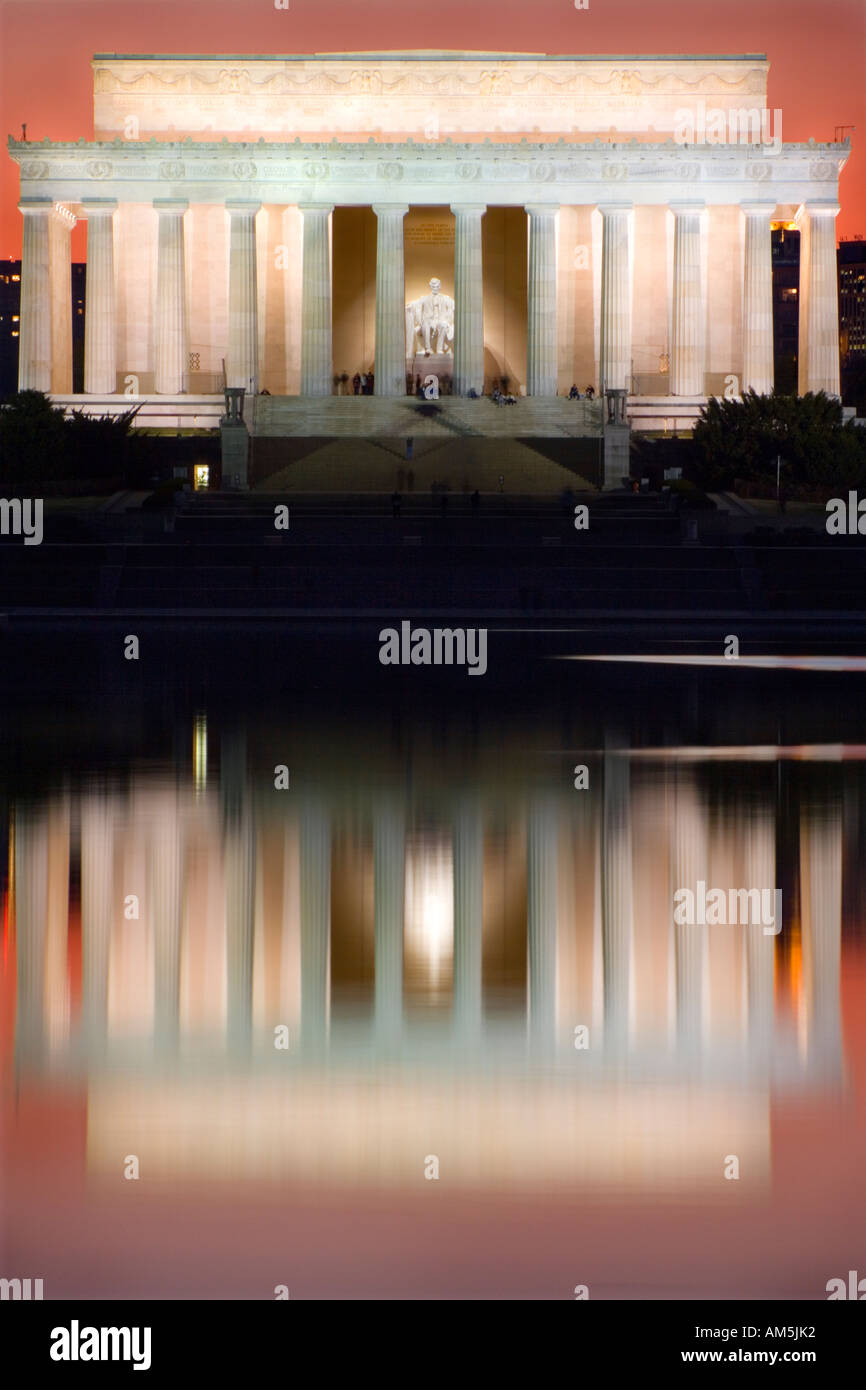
[817, 52]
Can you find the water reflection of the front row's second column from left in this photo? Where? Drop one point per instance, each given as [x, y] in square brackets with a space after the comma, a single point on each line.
[97, 914]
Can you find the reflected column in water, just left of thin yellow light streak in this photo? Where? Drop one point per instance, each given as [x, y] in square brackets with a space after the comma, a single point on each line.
[166, 913]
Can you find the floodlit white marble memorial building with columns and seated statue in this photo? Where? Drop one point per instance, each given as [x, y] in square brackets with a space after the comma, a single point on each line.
[279, 223]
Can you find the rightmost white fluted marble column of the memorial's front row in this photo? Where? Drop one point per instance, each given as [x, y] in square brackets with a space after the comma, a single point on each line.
[819, 309]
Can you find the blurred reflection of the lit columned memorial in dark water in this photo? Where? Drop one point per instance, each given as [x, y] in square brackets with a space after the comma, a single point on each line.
[432, 970]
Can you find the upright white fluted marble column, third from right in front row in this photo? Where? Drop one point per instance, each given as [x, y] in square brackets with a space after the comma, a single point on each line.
[689, 350]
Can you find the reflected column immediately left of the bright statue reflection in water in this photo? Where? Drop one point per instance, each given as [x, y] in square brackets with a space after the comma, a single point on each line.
[389, 897]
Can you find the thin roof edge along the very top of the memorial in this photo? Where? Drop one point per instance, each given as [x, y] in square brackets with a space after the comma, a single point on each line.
[443, 56]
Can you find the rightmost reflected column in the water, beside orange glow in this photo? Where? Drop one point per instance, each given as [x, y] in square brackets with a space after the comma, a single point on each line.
[821, 867]
